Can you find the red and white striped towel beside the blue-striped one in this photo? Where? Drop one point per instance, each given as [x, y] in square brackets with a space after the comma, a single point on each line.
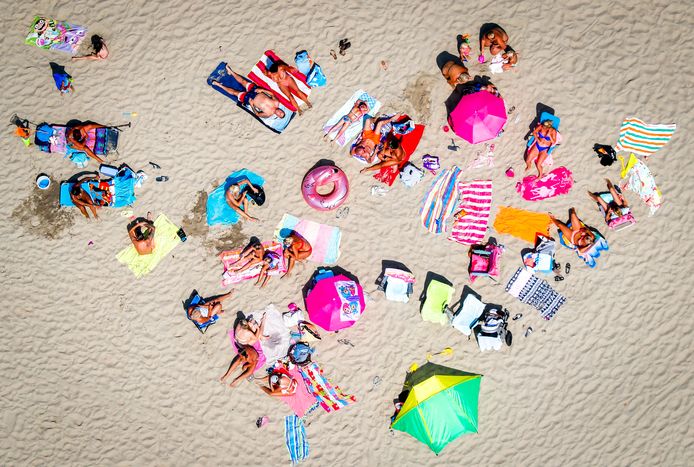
[476, 201]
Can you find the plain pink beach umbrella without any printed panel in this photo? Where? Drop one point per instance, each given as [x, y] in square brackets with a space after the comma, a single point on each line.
[478, 117]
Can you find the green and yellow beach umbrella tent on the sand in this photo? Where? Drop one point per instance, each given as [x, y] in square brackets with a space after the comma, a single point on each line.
[441, 405]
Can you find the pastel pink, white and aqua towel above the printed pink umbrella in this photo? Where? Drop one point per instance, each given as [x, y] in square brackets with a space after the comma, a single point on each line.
[324, 239]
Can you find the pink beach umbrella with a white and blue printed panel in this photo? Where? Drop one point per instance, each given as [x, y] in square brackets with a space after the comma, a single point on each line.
[335, 302]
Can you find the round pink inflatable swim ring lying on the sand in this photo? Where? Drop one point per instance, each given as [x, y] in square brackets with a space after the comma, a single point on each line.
[322, 176]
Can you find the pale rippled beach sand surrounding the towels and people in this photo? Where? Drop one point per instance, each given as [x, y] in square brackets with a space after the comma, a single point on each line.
[101, 369]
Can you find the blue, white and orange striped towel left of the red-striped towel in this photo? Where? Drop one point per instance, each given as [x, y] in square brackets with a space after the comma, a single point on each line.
[440, 200]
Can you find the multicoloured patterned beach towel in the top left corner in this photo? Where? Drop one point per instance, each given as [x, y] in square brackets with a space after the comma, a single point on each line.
[47, 33]
